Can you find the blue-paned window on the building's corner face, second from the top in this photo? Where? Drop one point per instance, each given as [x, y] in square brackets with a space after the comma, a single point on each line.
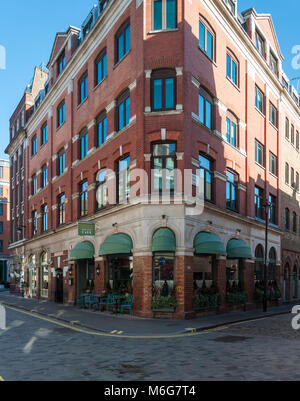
[163, 90]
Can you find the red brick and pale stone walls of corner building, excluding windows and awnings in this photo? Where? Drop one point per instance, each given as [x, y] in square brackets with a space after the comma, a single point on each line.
[195, 72]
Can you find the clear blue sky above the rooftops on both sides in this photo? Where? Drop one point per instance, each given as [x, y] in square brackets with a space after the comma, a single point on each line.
[28, 28]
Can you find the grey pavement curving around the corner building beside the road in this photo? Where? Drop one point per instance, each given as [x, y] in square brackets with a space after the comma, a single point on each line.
[131, 325]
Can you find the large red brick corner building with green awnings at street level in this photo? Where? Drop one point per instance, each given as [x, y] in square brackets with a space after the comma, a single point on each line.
[158, 85]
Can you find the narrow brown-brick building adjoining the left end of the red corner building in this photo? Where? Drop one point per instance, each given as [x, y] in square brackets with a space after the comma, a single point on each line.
[33, 94]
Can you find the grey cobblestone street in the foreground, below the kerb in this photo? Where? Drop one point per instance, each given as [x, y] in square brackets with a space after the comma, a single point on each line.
[33, 348]
